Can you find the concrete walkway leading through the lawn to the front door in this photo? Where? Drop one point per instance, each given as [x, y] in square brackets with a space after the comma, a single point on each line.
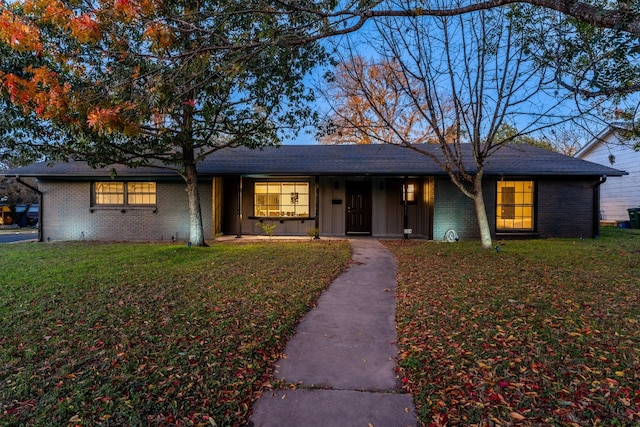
[342, 357]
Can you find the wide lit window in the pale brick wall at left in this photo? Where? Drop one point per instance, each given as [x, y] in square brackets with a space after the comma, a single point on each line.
[113, 193]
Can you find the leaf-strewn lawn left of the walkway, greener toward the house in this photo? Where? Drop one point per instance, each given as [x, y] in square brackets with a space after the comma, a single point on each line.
[115, 335]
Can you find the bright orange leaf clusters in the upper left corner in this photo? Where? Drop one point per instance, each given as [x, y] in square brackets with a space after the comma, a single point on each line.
[40, 90]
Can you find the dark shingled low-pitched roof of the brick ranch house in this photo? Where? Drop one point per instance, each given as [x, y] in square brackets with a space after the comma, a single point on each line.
[341, 160]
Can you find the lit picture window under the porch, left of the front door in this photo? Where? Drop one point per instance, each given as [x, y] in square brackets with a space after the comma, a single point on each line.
[281, 199]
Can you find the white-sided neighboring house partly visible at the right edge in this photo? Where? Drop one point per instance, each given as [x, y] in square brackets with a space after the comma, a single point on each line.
[611, 148]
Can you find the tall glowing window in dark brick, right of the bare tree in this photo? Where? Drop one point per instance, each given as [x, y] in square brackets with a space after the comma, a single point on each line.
[515, 206]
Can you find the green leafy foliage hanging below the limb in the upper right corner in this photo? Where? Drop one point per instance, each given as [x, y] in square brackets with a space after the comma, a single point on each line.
[590, 61]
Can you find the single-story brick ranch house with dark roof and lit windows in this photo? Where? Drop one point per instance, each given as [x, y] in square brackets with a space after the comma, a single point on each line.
[378, 190]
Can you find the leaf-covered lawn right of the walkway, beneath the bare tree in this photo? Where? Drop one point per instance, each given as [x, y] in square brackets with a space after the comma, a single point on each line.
[542, 333]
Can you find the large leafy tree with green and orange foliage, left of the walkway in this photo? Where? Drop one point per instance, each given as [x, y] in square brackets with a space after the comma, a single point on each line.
[154, 82]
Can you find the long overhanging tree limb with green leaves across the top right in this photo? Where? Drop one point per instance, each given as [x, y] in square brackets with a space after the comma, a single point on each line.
[592, 45]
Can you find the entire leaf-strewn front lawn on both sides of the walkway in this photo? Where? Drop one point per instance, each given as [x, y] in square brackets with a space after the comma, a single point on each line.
[544, 332]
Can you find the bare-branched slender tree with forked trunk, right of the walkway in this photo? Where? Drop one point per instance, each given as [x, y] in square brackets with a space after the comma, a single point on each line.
[465, 80]
